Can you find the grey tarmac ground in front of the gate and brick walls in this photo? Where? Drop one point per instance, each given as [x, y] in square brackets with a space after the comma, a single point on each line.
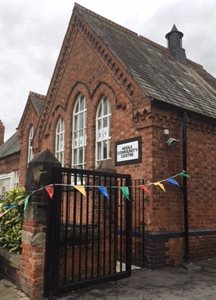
[196, 281]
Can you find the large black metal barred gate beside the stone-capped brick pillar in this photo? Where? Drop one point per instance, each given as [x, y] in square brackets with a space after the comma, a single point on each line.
[88, 231]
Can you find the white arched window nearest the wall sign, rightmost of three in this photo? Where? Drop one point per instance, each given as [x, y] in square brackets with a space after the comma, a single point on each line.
[103, 130]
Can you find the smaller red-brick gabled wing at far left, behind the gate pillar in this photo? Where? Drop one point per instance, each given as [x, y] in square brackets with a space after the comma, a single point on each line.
[19, 145]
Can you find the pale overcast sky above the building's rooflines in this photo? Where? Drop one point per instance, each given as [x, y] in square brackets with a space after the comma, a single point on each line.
[32, 31]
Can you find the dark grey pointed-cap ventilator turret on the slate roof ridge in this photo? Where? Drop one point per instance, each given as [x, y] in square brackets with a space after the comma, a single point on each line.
[174, 38]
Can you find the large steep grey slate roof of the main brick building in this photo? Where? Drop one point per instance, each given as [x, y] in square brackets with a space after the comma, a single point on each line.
[155, 69]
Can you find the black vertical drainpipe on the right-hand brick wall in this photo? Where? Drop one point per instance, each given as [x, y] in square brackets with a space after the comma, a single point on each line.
[186, 256]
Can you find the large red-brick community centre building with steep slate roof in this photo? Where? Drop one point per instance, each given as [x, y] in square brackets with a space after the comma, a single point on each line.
[111, 86]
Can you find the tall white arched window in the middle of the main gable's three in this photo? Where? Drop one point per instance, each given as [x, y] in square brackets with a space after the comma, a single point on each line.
[79, 133]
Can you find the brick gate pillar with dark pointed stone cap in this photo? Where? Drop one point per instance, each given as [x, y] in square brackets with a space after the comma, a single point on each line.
[31, 273]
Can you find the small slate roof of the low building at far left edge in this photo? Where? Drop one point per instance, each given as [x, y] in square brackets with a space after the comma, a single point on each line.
[11, 146]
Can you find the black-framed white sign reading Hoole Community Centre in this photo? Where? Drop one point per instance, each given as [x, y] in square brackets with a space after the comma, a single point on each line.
[128, 151]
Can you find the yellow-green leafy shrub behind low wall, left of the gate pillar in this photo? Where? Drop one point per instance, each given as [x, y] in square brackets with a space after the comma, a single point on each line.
[11, 222]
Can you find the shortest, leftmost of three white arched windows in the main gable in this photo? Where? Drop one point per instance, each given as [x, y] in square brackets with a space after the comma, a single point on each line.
[59, 141]
